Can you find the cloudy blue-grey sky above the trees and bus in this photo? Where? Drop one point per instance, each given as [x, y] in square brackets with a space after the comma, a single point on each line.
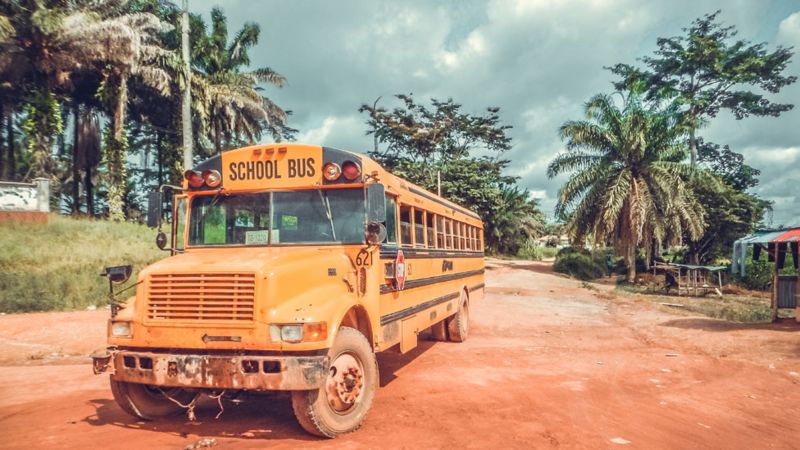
[538, 60]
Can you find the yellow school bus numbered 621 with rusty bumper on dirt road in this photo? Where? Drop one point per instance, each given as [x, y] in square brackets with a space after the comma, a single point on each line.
[291, 266]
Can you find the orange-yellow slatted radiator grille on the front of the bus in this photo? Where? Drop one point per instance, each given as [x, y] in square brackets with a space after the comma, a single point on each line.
[201, 297]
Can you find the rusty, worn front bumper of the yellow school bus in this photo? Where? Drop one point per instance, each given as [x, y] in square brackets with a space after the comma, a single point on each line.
[214, 371]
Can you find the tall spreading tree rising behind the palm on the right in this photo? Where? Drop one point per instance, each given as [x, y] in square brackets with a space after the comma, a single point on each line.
[708, 69]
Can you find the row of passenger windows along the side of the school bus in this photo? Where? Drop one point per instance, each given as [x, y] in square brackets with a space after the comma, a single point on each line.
[423, 229]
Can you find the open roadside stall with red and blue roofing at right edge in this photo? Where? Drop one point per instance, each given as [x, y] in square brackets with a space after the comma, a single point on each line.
[778, 244]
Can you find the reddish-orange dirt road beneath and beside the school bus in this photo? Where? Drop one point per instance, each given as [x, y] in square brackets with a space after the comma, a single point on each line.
[550, 362]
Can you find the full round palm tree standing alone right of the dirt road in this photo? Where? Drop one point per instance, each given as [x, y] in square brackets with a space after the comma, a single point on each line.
[627, 178]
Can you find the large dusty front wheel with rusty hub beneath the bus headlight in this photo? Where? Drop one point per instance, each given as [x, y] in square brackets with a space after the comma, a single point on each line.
[341, 404]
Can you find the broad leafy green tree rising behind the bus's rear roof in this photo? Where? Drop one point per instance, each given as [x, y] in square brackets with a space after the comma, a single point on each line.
[422, 141]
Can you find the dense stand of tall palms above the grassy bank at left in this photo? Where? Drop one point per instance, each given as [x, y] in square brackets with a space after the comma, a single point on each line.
[120, 58]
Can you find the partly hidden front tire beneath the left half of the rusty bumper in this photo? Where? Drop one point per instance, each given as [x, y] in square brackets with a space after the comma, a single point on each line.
[147, 402]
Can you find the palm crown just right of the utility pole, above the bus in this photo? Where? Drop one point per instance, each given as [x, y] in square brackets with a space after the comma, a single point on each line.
[235, 108]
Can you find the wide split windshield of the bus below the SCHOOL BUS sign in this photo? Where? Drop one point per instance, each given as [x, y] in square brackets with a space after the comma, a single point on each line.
[298, 217]
